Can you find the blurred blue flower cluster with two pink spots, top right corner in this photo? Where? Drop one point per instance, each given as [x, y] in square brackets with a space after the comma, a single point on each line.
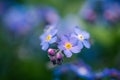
[101, 11]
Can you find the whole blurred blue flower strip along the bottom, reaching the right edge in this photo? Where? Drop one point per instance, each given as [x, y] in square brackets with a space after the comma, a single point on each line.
[84, 71]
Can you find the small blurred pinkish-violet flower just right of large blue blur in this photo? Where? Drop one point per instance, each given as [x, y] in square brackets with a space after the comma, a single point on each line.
[49, 15]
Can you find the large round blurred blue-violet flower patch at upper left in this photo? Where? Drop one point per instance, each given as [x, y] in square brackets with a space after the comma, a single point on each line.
[21, 19]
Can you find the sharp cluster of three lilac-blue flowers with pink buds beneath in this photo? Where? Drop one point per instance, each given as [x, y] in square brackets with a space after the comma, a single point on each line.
[67, 43]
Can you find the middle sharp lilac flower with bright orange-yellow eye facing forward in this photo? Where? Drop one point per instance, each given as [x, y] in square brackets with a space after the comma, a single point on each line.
[69, 46]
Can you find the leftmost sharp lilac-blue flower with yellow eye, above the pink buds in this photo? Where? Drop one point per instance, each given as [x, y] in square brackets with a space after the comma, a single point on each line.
[48, 38]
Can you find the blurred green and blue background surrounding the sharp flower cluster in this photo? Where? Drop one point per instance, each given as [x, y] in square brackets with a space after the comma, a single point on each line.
[23, 21]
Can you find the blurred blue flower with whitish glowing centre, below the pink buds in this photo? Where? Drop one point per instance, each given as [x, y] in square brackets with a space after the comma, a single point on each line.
[79, 69]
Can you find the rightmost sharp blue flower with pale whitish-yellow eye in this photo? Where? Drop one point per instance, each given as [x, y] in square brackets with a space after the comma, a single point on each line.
[82, 37]
